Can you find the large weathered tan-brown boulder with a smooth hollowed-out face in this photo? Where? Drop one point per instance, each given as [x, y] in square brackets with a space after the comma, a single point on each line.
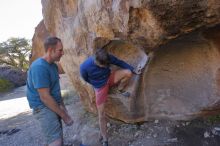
[181, 80]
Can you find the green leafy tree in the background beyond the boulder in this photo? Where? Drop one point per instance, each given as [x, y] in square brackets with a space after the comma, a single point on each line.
[15, 52]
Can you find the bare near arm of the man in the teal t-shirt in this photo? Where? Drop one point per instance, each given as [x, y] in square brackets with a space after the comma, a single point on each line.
[48, 100]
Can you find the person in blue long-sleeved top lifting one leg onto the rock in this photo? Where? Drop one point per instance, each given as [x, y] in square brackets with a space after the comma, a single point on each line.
[96, 71]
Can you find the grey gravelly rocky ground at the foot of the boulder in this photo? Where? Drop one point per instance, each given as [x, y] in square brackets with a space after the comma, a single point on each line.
[19, 128]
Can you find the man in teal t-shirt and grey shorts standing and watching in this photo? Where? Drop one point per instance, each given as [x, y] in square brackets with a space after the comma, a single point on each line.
[44, 95]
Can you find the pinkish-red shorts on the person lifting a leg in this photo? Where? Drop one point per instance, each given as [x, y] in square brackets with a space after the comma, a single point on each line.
[102, 93]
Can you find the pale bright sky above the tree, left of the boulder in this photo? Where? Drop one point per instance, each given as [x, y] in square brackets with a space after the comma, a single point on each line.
[18, 18]
